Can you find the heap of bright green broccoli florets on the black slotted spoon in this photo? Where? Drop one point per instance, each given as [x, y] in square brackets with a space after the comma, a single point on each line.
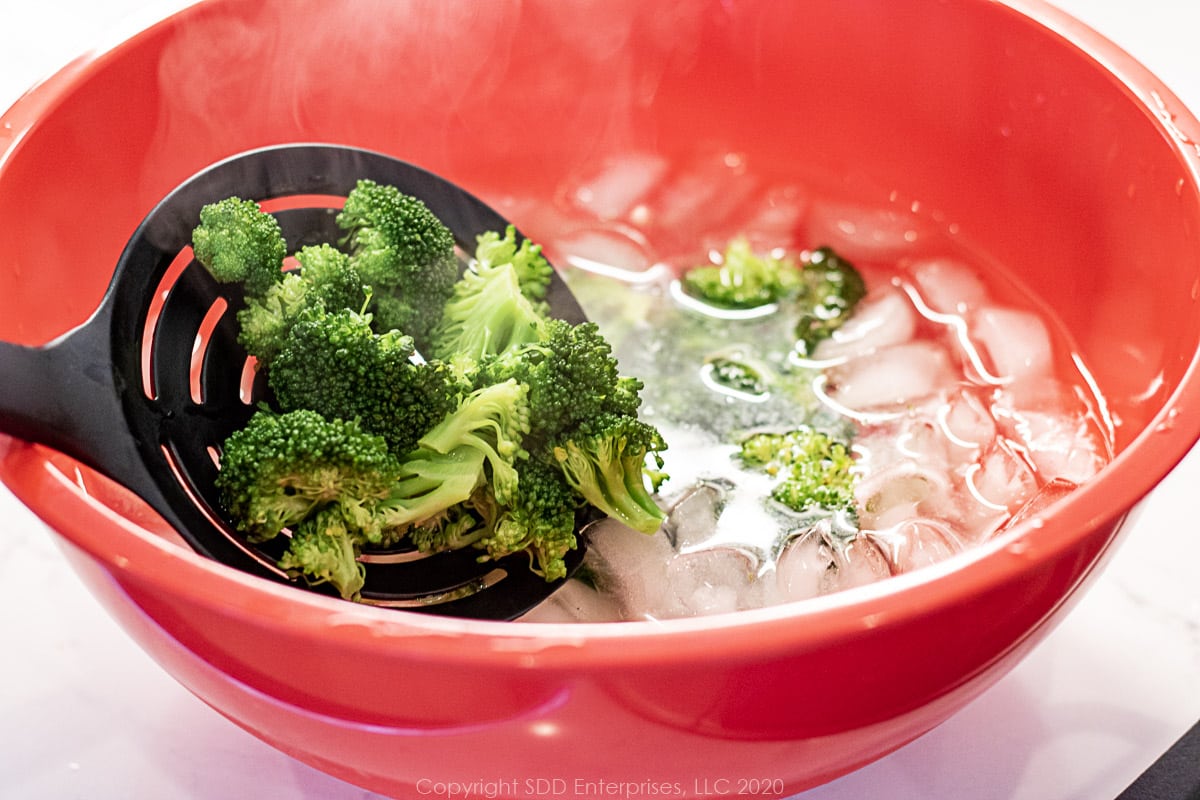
[412, 404]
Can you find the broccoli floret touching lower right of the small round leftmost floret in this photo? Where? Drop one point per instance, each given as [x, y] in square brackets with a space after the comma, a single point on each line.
[327, 281]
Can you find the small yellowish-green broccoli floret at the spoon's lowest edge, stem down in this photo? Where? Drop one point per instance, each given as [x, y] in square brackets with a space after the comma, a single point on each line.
[325, 550]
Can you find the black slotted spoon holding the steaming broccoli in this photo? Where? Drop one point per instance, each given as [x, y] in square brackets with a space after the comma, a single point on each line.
[149, 388]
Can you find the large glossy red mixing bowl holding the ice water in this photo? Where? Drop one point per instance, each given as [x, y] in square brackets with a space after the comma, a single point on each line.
[1016, 127]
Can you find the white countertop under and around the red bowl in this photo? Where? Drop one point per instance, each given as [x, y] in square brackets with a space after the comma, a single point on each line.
[86, 714]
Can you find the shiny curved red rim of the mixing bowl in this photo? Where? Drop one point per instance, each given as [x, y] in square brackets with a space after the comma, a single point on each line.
[125, 549]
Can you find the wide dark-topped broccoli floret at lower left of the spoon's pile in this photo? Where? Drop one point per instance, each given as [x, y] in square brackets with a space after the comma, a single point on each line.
[280, 470]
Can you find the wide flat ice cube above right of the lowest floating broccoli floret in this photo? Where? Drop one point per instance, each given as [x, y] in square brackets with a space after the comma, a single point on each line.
[891, 378]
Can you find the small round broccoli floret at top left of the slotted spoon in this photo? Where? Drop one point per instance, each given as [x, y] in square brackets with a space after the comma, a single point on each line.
[238, 243]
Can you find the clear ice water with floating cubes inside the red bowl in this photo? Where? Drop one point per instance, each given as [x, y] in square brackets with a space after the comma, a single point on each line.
[965, 405]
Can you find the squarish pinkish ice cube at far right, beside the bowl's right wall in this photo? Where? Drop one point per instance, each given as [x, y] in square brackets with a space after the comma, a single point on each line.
[1016, 344]
